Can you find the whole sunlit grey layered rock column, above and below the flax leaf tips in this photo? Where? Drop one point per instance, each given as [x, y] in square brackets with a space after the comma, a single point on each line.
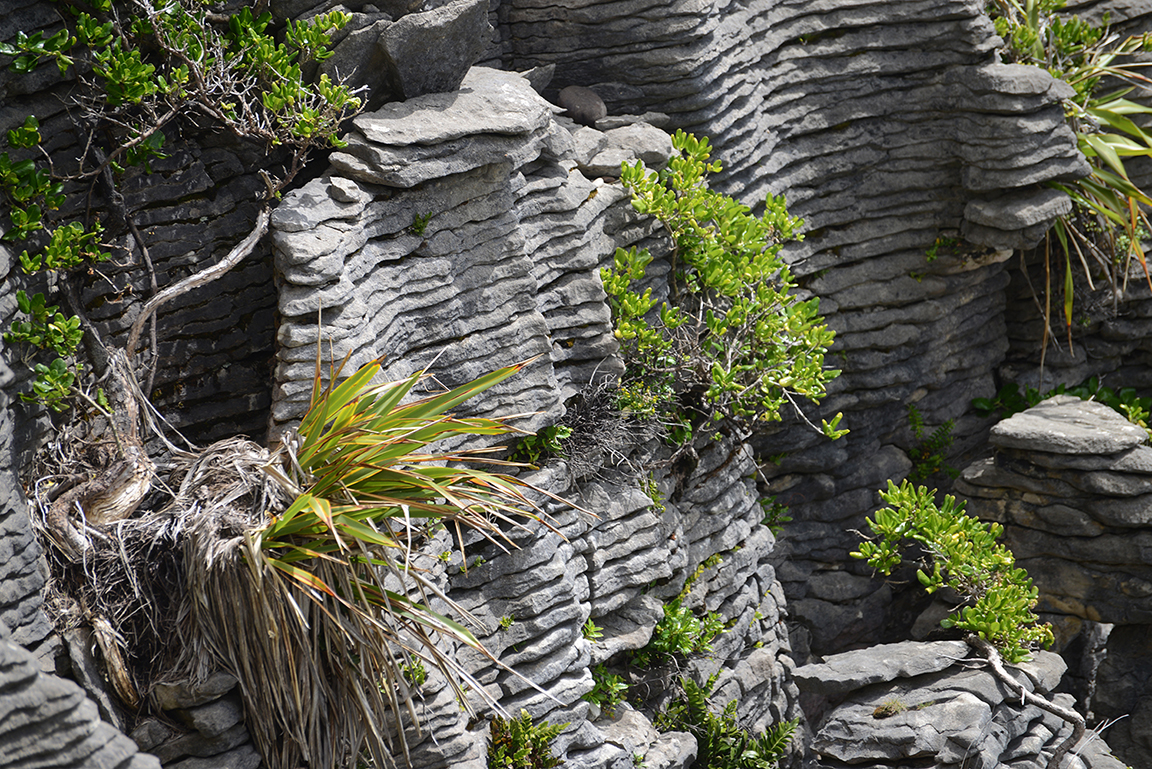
[469, 230]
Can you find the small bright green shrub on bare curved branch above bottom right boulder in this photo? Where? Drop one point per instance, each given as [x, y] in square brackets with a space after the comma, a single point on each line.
[960, 553]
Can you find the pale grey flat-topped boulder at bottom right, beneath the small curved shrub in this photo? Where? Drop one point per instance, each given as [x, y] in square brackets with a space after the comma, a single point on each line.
[912, 705]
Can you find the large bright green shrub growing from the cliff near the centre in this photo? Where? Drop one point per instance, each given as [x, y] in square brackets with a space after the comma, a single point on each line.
[733, 344]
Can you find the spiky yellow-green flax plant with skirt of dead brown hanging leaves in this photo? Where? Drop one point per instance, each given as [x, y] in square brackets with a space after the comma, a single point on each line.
[321, 607]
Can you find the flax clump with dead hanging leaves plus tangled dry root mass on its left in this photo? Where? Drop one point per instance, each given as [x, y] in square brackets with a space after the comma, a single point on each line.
[299, 570]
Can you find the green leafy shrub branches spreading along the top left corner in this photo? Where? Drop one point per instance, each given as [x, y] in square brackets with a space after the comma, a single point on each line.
[236, 73]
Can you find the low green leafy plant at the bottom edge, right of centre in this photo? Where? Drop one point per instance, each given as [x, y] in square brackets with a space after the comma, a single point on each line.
[722, 743]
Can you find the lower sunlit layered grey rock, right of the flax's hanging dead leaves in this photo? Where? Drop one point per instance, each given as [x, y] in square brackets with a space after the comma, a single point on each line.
[617, 570]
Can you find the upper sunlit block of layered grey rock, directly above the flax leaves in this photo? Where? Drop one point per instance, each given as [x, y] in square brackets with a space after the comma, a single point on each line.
[454, 229]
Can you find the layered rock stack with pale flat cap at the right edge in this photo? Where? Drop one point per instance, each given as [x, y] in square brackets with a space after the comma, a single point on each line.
[1072, 483]
